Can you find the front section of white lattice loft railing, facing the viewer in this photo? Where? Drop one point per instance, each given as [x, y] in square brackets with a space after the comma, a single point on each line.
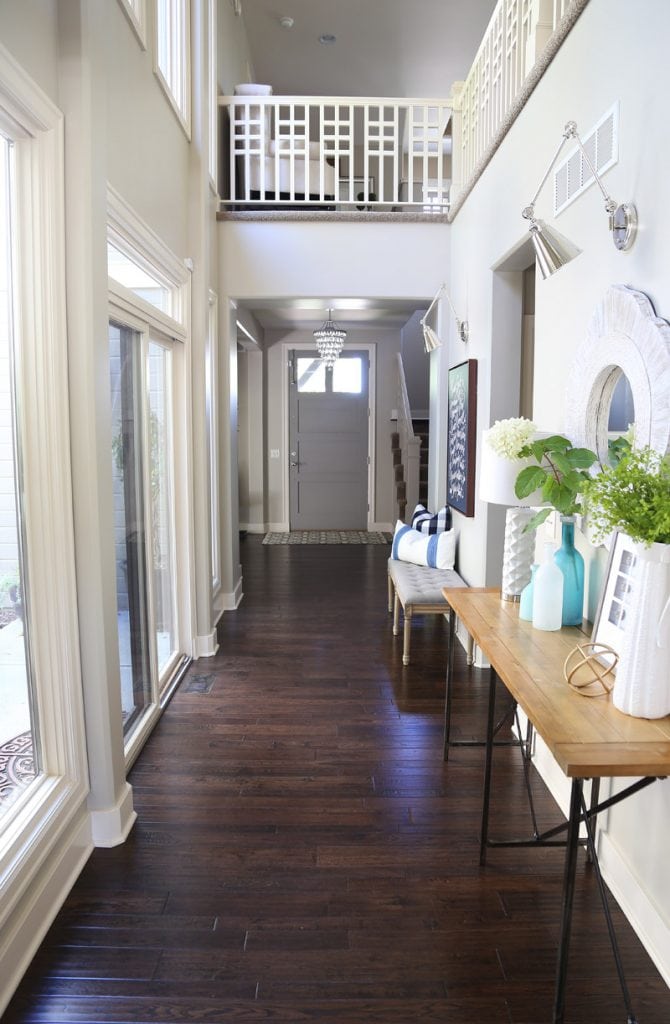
[350, 153]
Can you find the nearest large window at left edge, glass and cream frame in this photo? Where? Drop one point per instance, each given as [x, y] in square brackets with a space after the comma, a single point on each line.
[44, 774]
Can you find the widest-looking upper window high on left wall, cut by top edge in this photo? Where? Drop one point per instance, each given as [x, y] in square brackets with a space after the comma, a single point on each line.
[174, 55]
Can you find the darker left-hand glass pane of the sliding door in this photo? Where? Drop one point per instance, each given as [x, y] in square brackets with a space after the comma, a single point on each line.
[131, 538]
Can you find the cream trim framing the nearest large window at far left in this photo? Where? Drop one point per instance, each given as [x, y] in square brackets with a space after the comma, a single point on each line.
[48, 810]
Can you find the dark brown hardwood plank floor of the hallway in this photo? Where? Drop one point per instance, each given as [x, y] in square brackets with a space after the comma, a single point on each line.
[304, 855]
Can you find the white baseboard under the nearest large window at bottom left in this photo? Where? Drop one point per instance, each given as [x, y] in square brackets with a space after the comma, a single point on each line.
[34, 915]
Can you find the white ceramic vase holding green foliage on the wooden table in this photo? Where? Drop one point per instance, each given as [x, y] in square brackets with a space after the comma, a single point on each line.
[643, 684]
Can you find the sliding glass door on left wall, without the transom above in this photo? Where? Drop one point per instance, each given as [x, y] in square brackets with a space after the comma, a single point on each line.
[141, 376]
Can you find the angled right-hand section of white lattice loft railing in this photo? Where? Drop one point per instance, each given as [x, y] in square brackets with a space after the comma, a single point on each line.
[517, 37]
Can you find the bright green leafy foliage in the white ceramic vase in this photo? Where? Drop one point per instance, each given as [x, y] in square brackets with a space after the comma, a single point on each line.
[633, 496]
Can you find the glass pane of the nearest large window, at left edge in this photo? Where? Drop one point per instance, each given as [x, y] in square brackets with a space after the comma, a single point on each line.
[19, 760]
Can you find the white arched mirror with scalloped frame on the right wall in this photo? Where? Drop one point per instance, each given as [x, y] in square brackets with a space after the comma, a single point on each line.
[622, 369]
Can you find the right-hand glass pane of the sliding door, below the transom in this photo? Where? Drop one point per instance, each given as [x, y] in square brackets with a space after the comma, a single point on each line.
[161, 498]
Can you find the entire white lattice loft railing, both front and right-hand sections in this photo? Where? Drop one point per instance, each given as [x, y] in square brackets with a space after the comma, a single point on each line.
[361, 156]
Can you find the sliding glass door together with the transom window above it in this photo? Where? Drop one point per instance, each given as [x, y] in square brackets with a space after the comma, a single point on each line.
[147, 377]
